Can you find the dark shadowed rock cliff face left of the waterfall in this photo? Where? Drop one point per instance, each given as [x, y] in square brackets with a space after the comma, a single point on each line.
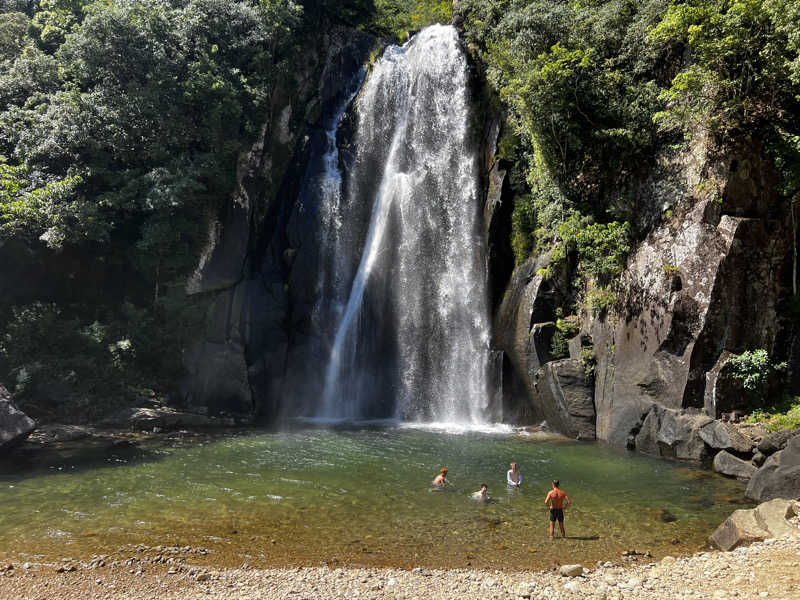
[258, 268]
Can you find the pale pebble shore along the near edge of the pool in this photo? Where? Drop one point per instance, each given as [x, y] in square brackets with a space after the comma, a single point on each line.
[769, 569]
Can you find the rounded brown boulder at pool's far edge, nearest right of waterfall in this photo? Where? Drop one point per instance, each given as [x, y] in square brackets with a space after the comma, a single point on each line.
[565, 398]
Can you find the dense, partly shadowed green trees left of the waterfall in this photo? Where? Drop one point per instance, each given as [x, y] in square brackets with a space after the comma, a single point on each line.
[121, 122]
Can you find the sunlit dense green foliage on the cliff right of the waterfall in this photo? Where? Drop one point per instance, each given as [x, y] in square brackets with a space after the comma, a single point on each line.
[597, 88]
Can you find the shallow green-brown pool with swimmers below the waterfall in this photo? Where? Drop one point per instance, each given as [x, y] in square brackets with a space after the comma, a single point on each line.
[357, 496]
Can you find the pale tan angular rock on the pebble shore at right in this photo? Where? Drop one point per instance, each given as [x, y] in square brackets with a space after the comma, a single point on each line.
[768, 520]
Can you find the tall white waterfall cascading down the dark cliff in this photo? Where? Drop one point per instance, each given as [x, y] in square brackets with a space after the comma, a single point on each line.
[412, 336]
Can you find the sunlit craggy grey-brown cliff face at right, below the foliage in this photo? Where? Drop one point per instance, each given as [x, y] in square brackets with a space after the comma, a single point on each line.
[687, 297]
